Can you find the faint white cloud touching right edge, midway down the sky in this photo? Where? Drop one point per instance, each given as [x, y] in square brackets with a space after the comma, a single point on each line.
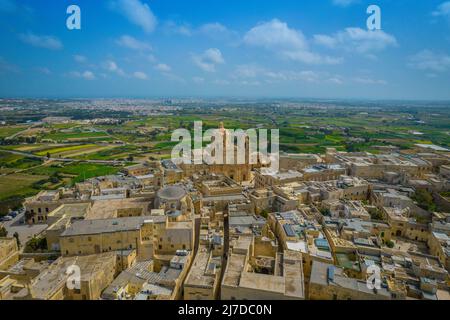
[427, 60]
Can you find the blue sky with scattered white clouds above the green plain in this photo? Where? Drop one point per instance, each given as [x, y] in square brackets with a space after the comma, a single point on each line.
[232, 48]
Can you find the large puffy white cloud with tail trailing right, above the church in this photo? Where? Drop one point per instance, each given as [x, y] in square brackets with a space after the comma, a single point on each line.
[289, 43]
